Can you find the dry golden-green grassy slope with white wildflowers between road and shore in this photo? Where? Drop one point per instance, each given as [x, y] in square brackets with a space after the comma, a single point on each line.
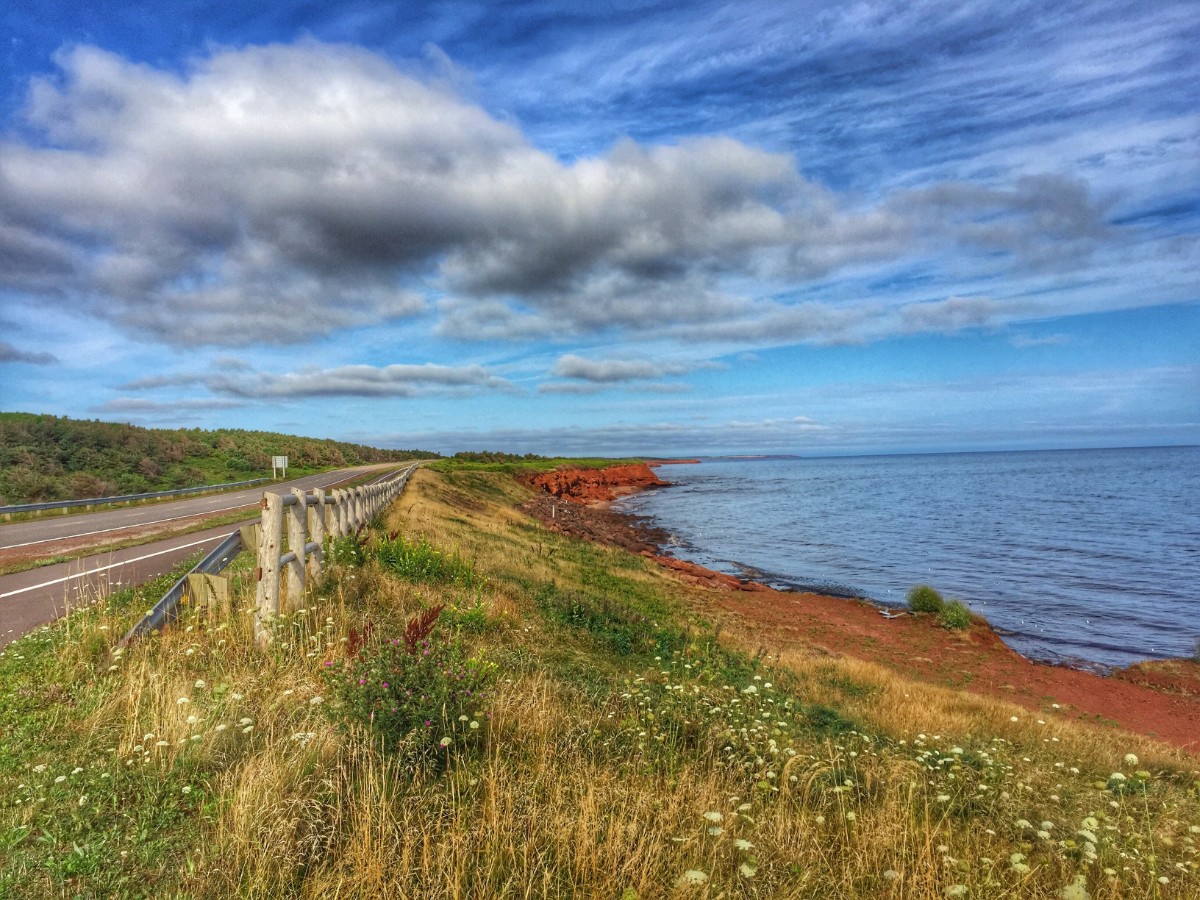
[568, 725]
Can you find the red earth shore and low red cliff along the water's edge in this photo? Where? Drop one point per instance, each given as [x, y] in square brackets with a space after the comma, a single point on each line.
[1161, 700]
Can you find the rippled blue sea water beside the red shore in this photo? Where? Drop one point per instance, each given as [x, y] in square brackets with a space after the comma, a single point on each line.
[1082, 556]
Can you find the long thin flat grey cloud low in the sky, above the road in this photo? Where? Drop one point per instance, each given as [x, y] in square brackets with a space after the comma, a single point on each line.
[359, 381]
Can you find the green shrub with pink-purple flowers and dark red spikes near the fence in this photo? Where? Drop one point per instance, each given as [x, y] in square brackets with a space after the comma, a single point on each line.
[416, 691]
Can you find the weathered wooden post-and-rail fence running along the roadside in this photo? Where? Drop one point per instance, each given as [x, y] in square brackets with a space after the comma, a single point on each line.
[307, 520]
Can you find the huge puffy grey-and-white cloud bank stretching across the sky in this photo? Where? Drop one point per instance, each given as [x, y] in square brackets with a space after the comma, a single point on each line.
[275, 194]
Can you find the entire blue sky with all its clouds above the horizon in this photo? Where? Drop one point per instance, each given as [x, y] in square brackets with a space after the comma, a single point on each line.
[626, 229]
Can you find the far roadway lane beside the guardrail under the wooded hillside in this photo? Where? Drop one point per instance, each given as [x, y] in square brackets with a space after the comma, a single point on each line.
[52, 529]
